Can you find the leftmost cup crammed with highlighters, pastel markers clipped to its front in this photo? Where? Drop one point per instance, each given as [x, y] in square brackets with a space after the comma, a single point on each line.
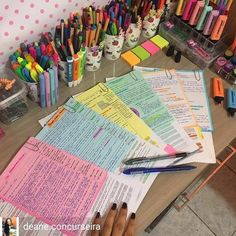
[36, 64]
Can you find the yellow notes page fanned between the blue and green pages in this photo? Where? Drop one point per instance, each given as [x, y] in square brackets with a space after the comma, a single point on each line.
[104, 101]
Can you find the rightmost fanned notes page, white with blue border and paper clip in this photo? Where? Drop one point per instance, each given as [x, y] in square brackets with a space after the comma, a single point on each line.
[195, 89]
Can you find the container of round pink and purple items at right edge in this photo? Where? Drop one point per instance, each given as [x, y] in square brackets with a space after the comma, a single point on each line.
[225, 66]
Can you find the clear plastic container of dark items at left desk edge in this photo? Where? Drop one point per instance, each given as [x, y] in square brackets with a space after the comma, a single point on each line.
[13, 102]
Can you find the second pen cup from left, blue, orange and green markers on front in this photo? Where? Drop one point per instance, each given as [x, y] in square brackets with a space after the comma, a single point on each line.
[70, 45]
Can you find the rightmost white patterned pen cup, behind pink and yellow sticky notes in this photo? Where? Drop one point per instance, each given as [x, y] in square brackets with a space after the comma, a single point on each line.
[150, 26]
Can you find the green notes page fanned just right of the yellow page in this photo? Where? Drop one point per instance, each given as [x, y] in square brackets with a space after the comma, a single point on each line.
[138, 94]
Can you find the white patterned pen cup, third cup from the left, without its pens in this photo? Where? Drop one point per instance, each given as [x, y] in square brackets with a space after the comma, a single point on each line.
[94, 57]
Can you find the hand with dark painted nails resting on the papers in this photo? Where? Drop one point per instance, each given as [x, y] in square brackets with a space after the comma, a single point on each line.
[115, 223]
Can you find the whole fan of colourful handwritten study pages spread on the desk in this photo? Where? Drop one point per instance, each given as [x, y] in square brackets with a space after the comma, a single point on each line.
[83, 158]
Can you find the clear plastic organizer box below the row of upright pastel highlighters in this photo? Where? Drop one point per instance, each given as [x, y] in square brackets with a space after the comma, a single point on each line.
[193, 45]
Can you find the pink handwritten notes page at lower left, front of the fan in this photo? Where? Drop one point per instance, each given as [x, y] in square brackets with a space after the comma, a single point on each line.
[52, 185]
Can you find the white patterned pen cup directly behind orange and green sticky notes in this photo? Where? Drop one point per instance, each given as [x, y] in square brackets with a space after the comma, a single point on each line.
[133, 34]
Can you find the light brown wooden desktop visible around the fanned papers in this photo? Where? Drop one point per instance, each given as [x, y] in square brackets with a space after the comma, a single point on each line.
[166, 186]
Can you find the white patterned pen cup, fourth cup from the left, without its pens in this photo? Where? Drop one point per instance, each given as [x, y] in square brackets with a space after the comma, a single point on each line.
[113, 46]
